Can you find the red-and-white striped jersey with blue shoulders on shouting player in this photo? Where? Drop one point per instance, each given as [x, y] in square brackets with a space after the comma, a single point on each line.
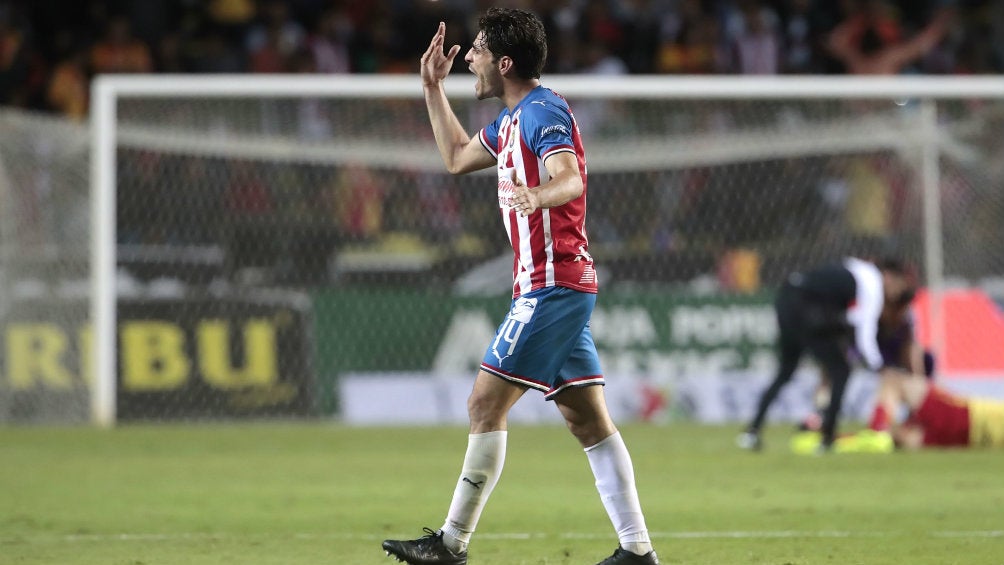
[551, 247]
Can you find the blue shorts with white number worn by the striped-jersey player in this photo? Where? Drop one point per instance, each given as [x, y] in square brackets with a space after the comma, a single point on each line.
[546, 344]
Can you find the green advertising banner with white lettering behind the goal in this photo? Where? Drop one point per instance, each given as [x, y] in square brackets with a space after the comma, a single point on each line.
[636, 333]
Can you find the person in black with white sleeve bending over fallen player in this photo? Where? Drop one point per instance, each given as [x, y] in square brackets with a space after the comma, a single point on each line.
[823, 312]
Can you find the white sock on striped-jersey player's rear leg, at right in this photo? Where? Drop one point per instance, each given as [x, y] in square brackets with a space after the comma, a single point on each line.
[615, 475]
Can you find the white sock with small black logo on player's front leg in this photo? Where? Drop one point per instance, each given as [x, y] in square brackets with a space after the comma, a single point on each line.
[482, 468]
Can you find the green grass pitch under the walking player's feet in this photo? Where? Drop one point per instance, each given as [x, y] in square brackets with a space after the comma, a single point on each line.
[324, 494]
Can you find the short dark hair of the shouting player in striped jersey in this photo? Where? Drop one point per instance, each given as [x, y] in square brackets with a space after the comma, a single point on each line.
[518, 35]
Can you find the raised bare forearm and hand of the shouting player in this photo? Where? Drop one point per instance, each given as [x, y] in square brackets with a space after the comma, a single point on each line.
[461, 153]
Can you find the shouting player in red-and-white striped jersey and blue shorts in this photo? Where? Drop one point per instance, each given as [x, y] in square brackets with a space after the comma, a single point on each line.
[545, 343]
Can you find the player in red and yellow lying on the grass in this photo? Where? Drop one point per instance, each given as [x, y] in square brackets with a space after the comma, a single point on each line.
[938, 418]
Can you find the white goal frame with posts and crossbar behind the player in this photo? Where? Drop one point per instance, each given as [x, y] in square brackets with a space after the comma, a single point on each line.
[107, 91]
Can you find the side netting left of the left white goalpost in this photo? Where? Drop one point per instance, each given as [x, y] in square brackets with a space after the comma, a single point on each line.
[45, 269]
